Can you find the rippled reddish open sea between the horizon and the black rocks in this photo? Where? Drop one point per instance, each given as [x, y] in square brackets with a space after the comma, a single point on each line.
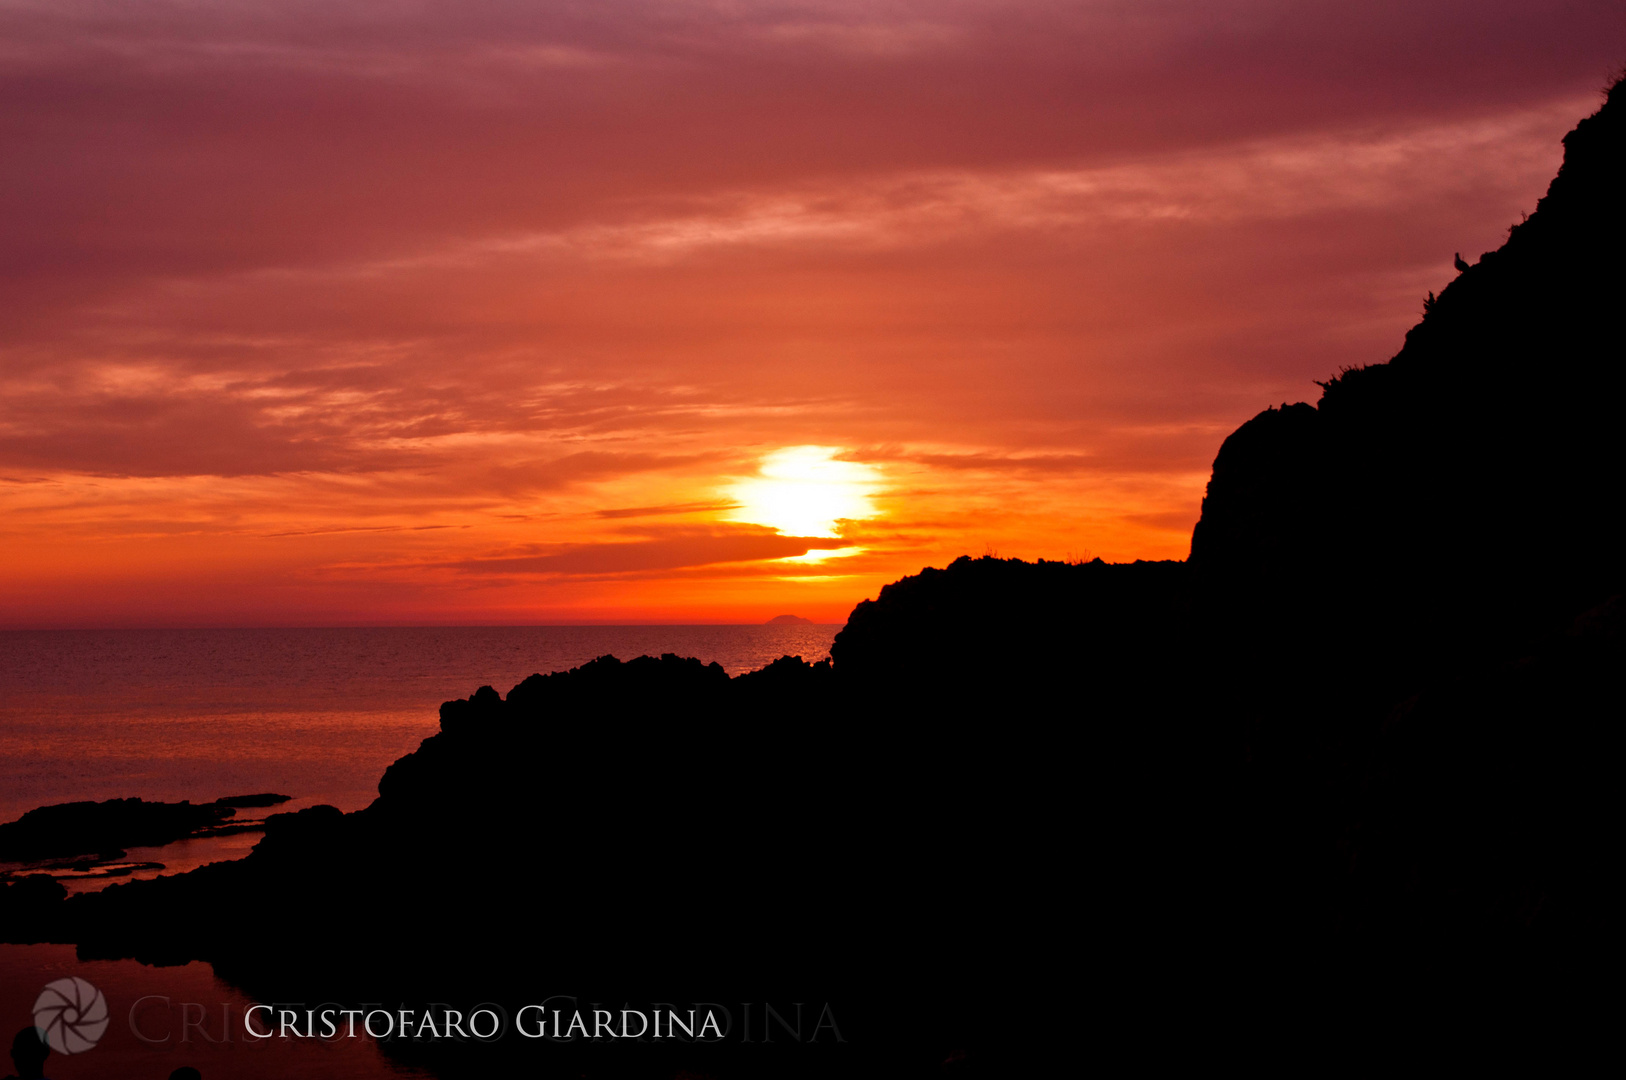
[311, 713]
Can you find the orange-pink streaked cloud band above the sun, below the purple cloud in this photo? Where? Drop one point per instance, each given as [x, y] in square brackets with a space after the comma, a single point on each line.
[980, 255]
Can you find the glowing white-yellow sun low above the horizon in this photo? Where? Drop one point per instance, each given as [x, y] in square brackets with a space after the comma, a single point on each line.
[804, 492]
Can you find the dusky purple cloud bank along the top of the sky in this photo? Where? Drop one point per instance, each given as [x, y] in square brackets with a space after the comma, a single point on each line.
[199, 141]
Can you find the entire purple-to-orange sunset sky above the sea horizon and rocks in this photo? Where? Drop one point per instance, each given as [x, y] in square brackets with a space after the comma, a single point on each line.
[702, 311]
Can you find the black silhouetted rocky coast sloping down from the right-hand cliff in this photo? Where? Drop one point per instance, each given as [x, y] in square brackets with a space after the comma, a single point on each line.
[1347, 770]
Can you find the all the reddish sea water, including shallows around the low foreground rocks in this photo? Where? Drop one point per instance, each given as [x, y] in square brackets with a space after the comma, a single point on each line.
[202, 715]
